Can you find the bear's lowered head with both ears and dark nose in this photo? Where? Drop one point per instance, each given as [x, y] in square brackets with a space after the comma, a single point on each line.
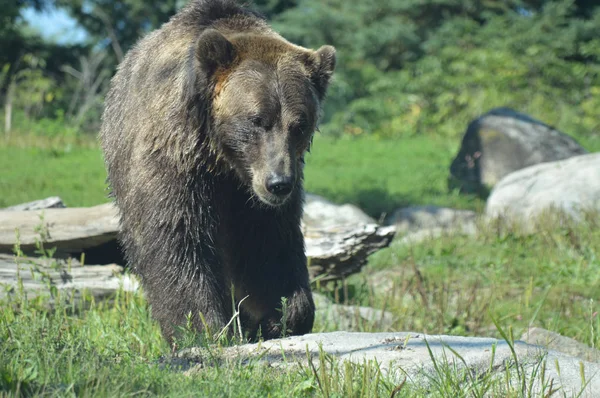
[266, 97]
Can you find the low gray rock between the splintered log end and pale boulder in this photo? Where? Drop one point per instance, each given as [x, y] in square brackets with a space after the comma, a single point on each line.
[416, 218]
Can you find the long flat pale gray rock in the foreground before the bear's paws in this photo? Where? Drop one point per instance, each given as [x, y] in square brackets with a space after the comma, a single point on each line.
[405, 356]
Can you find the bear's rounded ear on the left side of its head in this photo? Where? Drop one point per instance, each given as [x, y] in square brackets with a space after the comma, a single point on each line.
[214, 51]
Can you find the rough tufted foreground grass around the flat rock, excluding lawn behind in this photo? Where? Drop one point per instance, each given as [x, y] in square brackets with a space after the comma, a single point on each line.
[453, 285]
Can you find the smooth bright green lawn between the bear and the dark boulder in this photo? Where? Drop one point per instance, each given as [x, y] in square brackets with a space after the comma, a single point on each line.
[381, 175]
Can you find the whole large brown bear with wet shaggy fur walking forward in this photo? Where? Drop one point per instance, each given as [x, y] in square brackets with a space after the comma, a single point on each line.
[204, 133]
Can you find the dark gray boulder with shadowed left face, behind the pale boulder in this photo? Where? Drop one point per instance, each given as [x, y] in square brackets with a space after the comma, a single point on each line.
[503, 141]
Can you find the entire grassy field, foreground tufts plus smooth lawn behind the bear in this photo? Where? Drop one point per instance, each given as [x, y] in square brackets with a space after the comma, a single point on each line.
[451, 285]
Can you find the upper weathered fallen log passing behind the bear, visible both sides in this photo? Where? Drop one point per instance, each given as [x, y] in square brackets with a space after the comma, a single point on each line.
[333, 253]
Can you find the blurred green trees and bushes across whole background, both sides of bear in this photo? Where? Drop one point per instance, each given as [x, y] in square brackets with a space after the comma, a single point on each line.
[406, 67]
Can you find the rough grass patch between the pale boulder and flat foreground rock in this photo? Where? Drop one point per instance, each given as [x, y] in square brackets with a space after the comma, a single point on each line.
[456, 284]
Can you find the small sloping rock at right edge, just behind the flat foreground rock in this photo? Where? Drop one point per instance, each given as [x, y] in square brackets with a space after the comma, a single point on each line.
[555, 341]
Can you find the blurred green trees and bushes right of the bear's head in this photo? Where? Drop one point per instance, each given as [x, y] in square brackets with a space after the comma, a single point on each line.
[411, 67]
